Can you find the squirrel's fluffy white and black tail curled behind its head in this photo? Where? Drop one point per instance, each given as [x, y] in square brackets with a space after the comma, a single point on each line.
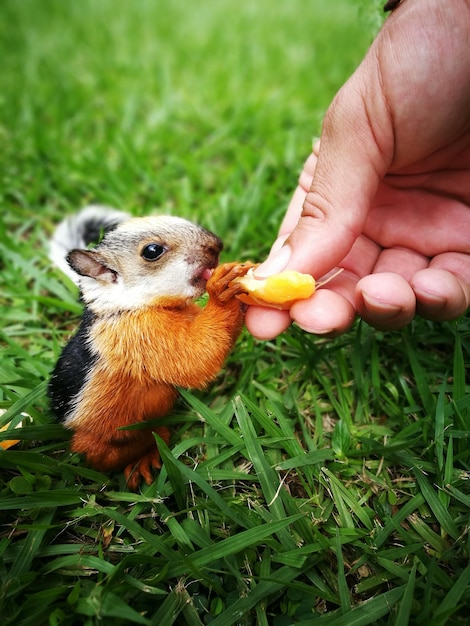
[79, 231]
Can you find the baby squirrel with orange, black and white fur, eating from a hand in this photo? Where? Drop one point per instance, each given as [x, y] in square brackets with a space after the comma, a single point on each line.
[141, 335]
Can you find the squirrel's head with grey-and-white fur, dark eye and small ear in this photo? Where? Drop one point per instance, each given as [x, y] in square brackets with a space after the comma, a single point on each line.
[158, 260]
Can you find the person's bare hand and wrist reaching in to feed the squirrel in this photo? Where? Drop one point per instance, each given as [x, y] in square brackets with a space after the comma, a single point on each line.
[385, 194]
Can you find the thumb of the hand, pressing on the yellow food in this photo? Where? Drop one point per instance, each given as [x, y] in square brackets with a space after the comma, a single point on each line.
[356, 148]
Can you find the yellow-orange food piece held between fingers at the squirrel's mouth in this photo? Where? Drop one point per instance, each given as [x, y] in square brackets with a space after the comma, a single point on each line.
[279, 291]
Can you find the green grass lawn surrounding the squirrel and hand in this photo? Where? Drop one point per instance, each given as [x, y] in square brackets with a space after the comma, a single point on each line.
[316, 481]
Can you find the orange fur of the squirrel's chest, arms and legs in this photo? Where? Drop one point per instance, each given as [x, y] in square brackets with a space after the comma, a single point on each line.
[143, 355]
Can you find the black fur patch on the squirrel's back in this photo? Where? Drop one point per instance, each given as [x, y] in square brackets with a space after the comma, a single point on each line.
[71, 369]
